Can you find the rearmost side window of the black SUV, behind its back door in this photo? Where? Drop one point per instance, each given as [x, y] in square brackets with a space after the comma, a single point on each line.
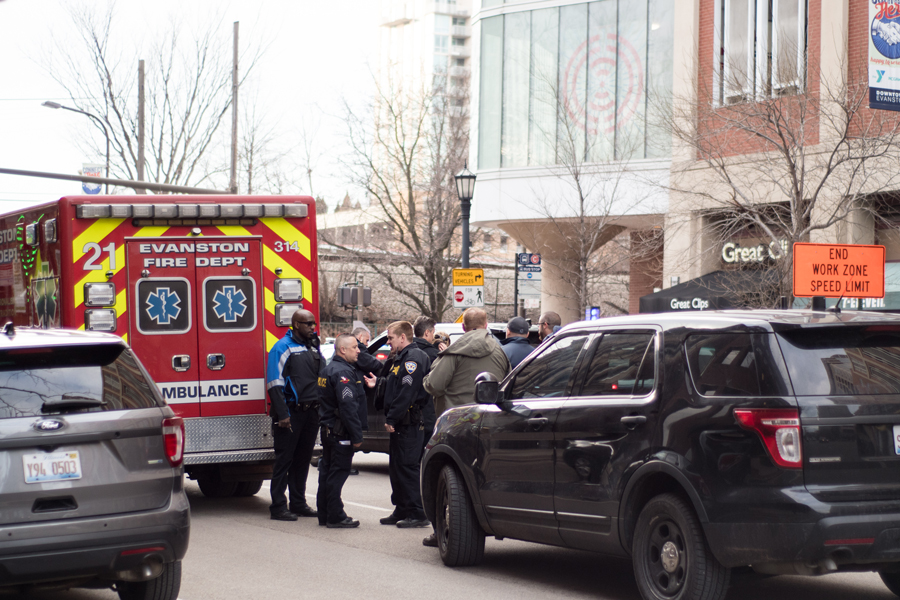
[735, 364]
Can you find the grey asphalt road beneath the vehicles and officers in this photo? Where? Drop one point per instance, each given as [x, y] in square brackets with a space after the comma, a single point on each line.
[237, 552]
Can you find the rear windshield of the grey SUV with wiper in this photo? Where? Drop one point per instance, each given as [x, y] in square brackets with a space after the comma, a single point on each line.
[42, 381]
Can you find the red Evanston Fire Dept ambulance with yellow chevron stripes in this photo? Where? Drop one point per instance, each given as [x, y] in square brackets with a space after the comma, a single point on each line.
[199, 286]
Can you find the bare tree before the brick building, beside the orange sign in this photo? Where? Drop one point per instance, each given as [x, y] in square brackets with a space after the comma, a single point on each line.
[779, 164]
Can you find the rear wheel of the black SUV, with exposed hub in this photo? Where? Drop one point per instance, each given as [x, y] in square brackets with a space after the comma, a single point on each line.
[672, 560]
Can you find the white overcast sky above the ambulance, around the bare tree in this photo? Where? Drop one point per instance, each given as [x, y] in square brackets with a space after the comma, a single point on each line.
[317, 52]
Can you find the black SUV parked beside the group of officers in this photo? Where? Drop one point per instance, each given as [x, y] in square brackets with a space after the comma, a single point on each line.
[693, 443]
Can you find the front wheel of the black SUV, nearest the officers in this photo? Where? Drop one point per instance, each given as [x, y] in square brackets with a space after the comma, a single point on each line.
[459, 536]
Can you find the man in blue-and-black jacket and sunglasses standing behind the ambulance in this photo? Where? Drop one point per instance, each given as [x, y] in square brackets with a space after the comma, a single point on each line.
[292, 378]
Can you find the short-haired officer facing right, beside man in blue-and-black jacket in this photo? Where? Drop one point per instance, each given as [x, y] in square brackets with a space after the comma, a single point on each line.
[343, 416]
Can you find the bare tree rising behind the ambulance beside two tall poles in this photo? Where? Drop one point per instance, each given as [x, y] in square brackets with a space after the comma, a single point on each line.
[188, 92]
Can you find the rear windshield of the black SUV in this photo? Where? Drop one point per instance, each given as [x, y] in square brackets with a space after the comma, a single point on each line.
[842, 361]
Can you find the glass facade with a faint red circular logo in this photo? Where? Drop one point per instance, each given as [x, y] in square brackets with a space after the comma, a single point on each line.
[577, 83]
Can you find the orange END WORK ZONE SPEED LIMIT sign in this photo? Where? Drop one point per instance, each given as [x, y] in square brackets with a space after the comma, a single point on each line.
[836, 270]
